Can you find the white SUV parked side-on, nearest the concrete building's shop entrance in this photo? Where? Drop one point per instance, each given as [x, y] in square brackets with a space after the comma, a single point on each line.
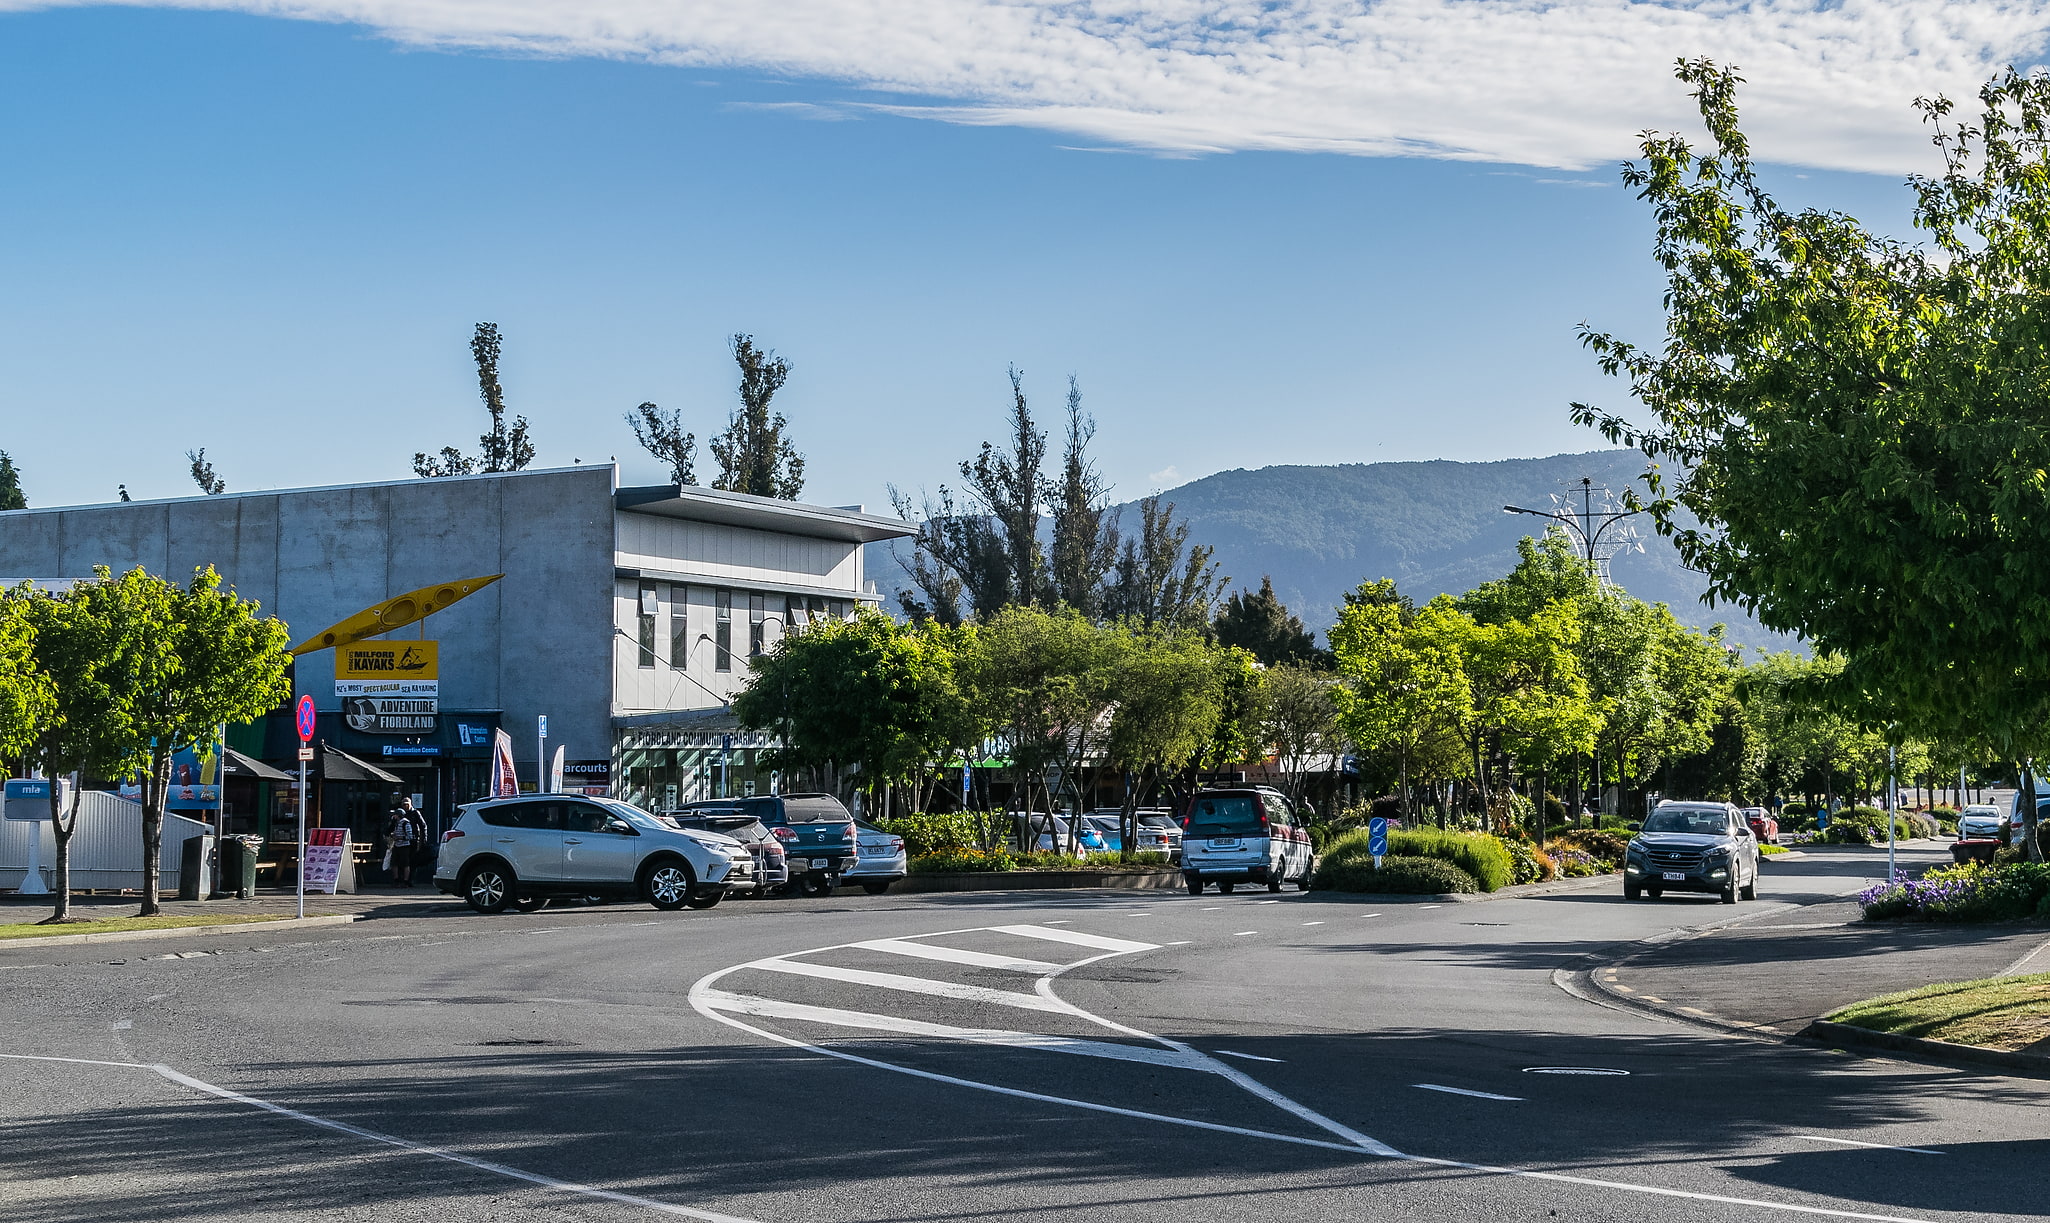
[522, 851]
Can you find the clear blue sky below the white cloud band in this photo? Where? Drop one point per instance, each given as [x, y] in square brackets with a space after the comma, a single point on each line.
[272, 239]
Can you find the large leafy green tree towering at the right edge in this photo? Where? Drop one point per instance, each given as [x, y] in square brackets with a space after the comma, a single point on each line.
[1848, 431]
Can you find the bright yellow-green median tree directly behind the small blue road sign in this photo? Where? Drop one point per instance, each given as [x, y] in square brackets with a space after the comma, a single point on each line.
[1405, 679]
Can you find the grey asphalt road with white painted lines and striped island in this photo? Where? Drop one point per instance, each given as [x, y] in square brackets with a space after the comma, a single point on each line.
[979, 1058]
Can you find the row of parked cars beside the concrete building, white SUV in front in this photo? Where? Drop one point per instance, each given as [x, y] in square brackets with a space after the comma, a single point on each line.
[530, 849]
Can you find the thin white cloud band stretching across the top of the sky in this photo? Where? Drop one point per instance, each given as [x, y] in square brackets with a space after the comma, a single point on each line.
[1541, 83]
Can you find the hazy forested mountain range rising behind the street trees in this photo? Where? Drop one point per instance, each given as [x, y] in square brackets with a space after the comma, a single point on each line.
[1436, 528]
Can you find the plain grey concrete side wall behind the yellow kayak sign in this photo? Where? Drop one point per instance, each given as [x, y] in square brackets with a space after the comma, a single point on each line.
[538, 642]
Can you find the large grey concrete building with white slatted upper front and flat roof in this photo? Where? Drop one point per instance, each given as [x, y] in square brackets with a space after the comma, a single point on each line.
[626, 616]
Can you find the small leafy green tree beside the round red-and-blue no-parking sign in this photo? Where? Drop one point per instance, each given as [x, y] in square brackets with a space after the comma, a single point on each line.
[222, 663]
